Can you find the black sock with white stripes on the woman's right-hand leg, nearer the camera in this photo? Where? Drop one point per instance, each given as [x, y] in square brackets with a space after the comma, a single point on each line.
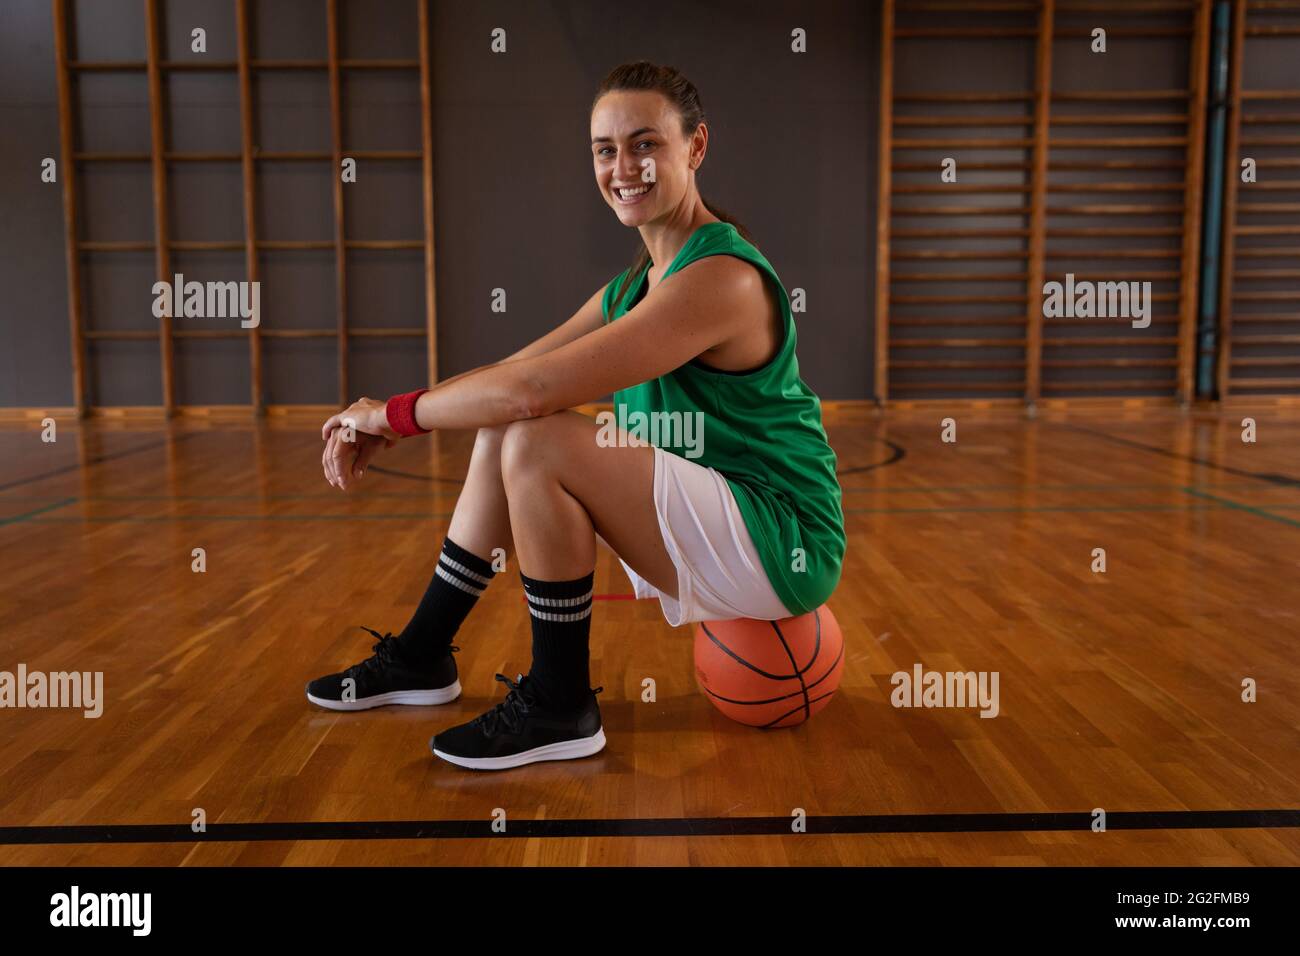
[562, 624]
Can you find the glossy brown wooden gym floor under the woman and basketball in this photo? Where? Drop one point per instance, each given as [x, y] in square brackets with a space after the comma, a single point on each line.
[1119, 691]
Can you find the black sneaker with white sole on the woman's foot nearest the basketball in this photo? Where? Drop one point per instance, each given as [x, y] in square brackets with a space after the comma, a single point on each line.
[521, 730]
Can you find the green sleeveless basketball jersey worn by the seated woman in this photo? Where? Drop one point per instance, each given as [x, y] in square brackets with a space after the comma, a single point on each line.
[762, 430]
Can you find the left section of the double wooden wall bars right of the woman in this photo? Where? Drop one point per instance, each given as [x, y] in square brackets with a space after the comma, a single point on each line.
[956, 257]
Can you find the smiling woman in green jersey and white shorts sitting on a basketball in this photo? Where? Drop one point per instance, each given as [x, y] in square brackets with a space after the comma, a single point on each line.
[731, 513]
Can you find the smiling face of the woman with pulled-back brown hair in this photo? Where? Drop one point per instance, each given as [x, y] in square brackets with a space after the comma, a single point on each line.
[644, 165]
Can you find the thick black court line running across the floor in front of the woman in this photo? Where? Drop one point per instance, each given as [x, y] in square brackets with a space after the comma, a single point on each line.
[670, 827]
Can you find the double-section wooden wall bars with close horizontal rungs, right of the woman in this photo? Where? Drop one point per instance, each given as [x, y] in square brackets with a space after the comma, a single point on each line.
[1081, 178]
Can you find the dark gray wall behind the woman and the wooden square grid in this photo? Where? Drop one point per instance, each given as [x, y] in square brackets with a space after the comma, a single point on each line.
[794, 155]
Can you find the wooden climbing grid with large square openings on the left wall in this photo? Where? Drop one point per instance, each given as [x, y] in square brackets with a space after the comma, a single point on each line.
[155, 68]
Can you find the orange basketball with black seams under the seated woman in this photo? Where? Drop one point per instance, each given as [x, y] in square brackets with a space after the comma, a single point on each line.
[770, 673]
